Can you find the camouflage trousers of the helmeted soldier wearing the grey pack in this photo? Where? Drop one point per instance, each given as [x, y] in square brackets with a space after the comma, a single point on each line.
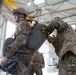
[25, 59]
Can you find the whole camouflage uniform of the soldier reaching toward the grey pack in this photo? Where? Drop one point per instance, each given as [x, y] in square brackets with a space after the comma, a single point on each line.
[65, 45]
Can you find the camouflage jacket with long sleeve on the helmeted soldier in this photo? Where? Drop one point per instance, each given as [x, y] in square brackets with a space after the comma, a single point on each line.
[22, 32]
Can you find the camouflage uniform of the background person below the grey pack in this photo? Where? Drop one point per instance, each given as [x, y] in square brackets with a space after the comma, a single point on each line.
[37, 64]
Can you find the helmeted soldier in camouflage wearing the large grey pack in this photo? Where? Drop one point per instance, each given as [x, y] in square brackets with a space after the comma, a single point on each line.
[19, 45]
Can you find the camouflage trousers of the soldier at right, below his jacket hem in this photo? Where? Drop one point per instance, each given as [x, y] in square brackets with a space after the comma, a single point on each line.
[67, 65]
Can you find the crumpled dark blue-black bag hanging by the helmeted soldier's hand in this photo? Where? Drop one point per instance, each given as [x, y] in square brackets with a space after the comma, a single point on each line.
[11, 65]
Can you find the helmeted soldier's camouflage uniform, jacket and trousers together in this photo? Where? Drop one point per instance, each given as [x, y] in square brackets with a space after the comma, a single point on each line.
[22, 32]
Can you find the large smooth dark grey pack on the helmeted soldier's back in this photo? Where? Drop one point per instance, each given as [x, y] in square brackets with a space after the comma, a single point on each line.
[36, 38]
